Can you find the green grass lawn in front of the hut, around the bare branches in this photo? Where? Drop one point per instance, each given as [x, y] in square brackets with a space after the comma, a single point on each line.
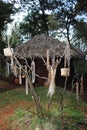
[73, 112]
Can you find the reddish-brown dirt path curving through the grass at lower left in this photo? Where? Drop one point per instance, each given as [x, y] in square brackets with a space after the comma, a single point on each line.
[7, 111]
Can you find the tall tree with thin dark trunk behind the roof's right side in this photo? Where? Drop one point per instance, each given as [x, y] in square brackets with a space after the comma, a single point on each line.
[69, 15]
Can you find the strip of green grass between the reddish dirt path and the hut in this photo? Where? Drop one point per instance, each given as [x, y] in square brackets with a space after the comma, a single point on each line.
[13, 96]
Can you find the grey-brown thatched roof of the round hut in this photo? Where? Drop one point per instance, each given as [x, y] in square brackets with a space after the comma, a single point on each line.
[38, 46]
